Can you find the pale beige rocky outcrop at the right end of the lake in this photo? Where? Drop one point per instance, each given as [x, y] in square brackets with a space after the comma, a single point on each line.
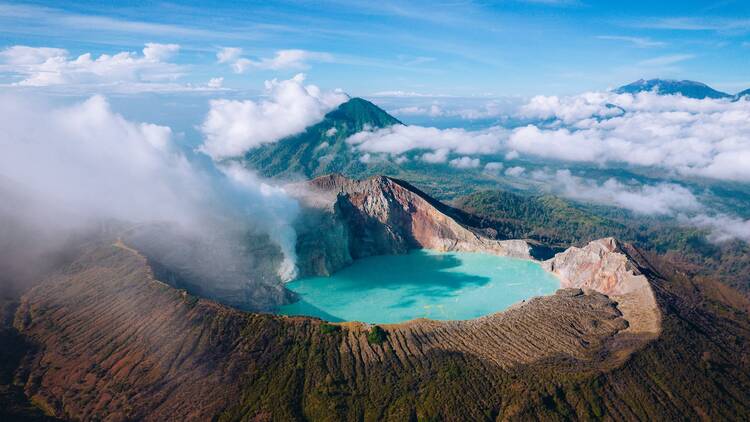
[605, 266]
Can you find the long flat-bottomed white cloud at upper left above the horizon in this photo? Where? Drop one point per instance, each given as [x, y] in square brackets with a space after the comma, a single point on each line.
[124, 71]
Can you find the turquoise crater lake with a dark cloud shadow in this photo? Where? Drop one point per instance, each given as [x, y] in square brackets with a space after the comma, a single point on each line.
[421, 284]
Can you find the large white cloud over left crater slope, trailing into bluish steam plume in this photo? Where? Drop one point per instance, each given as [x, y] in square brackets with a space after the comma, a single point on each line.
[72, 167]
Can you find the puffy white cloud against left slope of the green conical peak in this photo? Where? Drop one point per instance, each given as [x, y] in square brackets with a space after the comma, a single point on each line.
[233, 127]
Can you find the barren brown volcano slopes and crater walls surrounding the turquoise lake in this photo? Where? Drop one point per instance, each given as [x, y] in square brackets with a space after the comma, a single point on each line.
[629, 338]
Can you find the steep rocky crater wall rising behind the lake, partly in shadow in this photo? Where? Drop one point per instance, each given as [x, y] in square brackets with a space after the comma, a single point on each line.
[381, 215]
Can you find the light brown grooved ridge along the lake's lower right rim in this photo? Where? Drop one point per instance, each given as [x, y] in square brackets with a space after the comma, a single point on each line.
[570, 323]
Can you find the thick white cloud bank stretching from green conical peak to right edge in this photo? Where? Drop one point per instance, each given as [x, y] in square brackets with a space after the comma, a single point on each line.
[687, 137]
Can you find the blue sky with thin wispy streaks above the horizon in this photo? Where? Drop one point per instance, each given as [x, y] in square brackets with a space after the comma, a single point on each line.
[461, 48]
